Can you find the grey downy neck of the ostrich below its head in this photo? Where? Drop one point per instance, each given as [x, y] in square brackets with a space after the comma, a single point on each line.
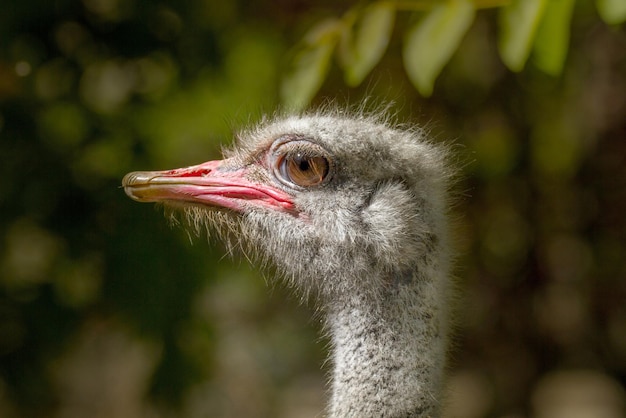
[388, 355]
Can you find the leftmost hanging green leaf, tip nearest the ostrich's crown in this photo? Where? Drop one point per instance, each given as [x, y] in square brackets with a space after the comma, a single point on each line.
[309, 65]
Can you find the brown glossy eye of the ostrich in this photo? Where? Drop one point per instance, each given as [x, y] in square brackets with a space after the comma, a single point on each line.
[303, 170]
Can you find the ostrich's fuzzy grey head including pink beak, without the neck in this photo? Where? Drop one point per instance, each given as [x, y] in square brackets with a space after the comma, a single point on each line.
[325, 199]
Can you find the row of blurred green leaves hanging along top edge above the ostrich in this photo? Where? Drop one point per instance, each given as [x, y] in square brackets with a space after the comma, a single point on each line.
[362, 35]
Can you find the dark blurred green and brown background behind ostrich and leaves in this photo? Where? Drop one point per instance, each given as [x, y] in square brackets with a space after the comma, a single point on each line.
[106, 310]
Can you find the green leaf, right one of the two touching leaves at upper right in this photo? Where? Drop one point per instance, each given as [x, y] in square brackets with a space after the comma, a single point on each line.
[552, 39]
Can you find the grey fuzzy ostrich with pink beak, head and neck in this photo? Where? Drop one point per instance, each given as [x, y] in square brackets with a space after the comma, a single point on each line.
[351, 211]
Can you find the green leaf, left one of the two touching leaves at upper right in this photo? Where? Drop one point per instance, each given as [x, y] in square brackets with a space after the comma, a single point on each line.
[518, 23]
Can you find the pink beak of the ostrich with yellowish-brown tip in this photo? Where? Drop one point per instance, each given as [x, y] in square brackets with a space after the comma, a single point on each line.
[210, 184]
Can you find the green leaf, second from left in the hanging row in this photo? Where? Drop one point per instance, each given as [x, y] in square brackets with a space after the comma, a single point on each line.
[364, 44]
